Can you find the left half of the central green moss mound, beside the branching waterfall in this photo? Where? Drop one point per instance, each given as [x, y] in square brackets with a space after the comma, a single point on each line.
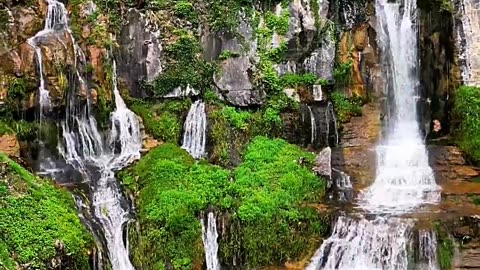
[173, 191]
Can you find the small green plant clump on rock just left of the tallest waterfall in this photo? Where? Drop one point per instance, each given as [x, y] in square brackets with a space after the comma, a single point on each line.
[346, 107]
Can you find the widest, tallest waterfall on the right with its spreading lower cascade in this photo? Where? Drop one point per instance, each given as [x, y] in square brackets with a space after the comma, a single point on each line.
[404, 180]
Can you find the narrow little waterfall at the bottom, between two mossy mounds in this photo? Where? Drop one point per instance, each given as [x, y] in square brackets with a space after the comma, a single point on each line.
[210, 244]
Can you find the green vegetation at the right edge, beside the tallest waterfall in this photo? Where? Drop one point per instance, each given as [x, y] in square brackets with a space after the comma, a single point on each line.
[467, 106]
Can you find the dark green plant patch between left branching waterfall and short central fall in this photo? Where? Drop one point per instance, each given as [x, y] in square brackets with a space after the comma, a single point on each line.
[163, 120]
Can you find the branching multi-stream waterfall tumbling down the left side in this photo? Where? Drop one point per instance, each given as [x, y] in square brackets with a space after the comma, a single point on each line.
[94, 154]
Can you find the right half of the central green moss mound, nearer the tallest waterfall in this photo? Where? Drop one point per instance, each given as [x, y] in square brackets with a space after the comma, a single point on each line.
[271, 190]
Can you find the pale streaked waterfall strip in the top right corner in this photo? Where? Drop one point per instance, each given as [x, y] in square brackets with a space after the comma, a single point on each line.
[468, 39]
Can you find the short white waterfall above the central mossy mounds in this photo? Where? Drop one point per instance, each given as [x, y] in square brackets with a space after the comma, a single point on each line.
[194, 136]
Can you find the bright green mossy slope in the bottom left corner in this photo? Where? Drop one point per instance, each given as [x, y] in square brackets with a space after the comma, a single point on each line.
[35, 216]
